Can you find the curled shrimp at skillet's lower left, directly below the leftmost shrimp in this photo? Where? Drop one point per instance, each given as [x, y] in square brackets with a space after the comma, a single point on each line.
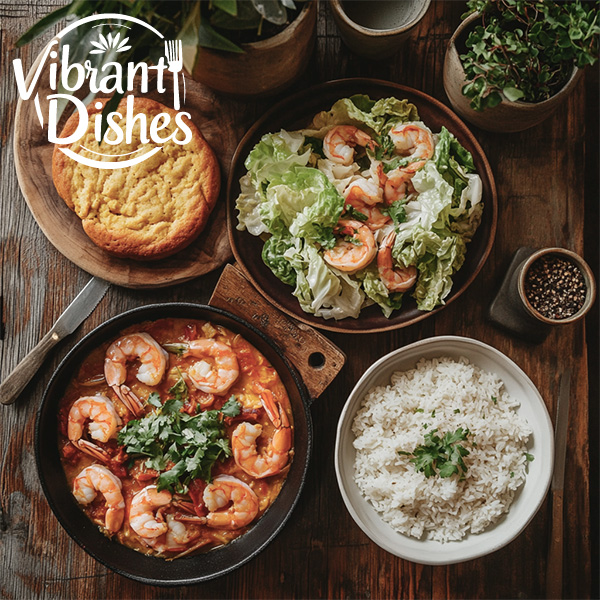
[94, 479]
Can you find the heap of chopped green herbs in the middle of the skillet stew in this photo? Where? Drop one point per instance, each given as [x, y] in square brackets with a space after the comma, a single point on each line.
[187, 445]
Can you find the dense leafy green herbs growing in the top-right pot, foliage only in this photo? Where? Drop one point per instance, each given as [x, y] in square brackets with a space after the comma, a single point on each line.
[526, 49]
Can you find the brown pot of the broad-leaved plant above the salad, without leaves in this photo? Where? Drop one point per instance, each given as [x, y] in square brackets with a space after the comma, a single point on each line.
[267, 66]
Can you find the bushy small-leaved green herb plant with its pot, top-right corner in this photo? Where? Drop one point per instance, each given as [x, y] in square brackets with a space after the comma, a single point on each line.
[511, 63]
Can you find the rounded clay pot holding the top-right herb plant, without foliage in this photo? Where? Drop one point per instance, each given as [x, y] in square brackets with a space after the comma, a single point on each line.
[508, 116]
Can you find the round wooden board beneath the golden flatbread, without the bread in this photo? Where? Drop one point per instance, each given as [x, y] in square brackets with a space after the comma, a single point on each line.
[62, 227]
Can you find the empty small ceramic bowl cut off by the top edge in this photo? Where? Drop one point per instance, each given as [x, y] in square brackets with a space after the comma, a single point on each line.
[375, 29]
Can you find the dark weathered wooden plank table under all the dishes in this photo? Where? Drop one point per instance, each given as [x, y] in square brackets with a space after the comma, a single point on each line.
[547, 181]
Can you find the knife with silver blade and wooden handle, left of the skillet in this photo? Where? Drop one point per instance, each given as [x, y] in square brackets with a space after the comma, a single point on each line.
[72, 317]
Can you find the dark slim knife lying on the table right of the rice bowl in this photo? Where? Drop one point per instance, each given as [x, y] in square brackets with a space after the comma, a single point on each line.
[554, 567]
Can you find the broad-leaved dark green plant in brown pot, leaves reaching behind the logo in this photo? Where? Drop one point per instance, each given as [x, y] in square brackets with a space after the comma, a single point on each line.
[241, 47]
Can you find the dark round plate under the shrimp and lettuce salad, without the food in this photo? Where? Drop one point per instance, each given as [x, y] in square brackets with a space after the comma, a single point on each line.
[297, 112]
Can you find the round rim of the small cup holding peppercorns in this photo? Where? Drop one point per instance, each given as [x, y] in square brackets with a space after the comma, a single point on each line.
[583, 267]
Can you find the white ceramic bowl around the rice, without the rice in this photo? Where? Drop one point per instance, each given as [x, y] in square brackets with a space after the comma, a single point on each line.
[527, 500]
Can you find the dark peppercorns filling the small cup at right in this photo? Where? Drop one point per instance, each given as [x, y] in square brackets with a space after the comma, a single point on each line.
[555, 287]
